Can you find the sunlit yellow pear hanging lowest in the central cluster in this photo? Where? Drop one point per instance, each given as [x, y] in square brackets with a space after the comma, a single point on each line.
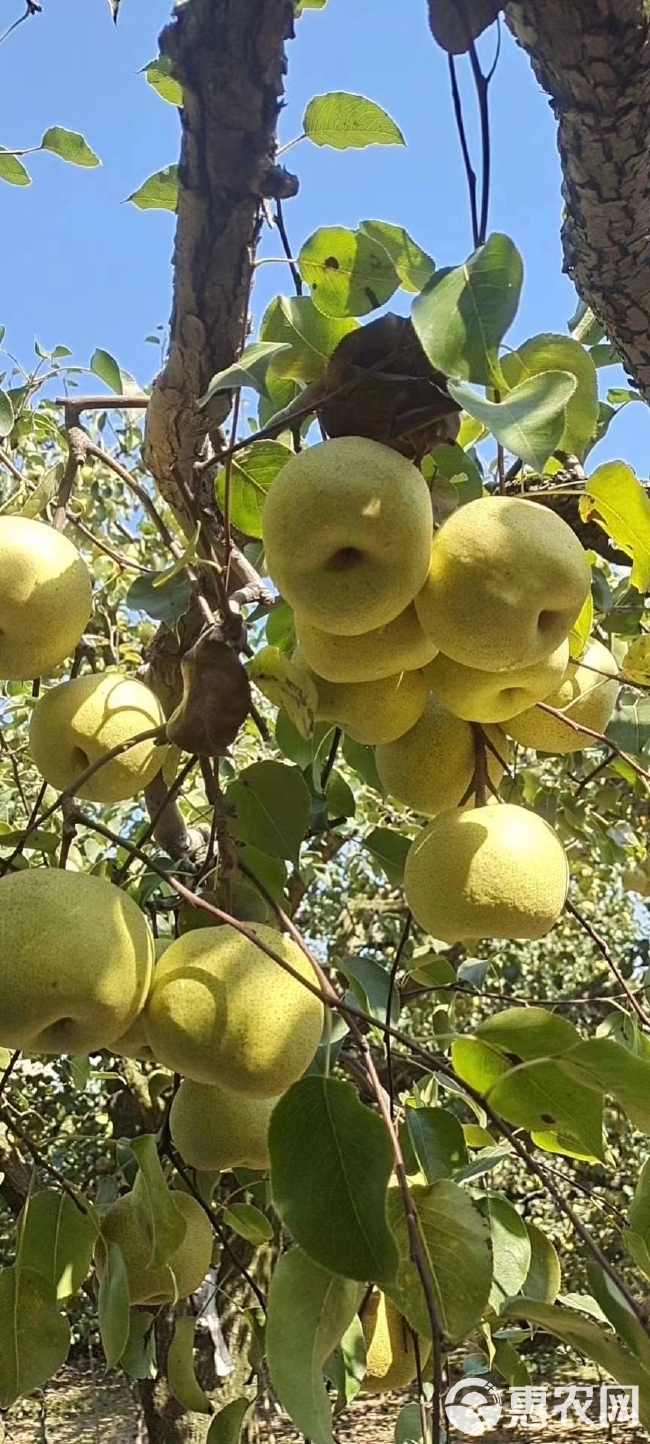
[498, 871]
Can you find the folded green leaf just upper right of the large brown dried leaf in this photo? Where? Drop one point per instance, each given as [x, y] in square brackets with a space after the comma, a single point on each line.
[464, 314]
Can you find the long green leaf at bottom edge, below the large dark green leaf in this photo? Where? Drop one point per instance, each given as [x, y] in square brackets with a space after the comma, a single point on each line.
[310, 1310]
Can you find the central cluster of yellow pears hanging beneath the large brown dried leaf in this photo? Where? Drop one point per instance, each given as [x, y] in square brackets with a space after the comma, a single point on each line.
[441, 648]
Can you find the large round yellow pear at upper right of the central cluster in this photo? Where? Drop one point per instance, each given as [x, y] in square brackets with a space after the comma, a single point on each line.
[508, 580]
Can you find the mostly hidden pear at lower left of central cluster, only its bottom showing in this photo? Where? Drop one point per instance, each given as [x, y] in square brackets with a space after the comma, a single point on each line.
[373, 713]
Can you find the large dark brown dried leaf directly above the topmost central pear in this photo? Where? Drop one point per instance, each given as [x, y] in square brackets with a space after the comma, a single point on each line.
[391, 393]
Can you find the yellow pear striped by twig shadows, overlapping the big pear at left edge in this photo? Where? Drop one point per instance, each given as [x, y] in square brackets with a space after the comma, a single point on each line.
[223, 1012]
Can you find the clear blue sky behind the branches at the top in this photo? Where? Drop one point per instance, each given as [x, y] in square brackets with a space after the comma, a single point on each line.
[84, 269]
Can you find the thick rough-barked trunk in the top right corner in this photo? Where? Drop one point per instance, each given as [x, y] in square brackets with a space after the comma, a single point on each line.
[593, 57]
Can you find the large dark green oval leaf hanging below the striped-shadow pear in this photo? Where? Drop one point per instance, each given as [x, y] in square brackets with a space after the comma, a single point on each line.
[331, 1162]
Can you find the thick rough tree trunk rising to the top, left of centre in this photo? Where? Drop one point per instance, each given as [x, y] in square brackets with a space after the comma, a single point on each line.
[230, 60]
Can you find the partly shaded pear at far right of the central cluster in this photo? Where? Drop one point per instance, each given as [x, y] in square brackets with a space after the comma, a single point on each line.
[587, 697]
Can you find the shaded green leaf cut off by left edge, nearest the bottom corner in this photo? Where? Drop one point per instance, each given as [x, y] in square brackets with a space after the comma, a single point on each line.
[34, 1335]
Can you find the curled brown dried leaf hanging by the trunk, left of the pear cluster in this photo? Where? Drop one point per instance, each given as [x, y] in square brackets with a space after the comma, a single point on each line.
[216, 698]
